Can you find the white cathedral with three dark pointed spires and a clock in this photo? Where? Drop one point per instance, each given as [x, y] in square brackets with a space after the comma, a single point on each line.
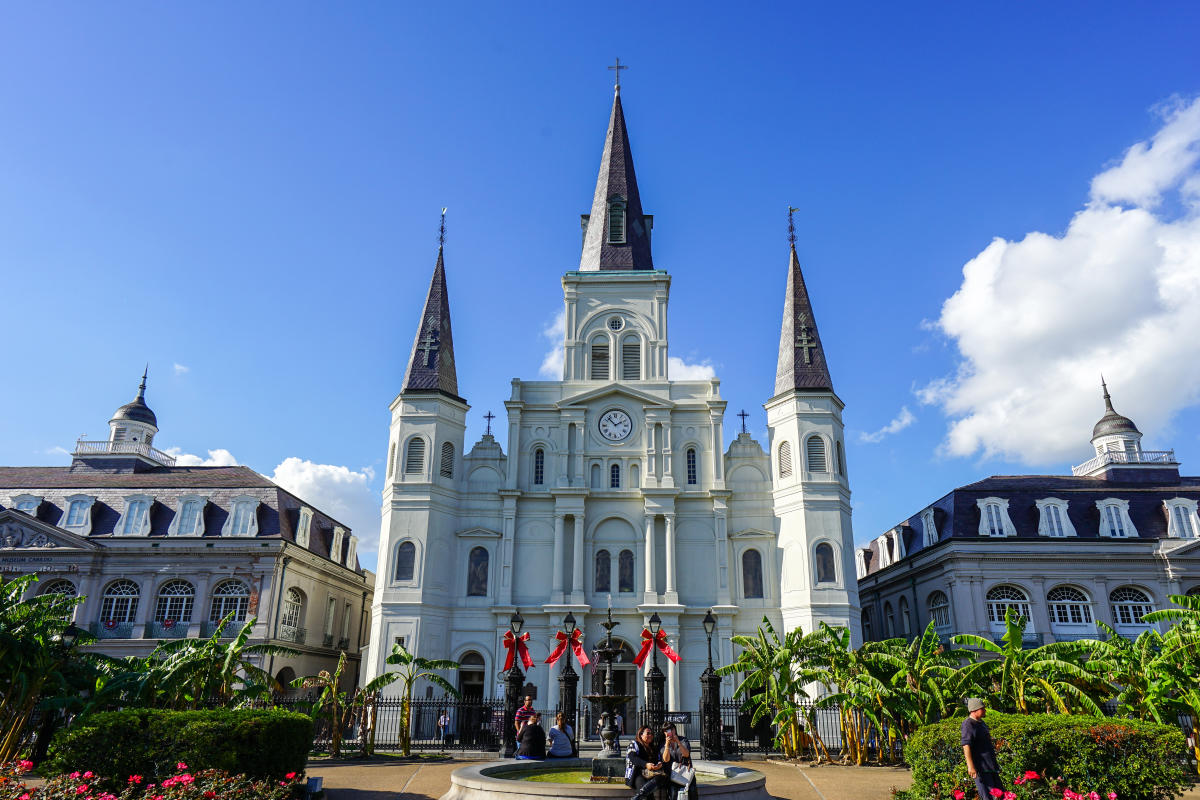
[616, 488]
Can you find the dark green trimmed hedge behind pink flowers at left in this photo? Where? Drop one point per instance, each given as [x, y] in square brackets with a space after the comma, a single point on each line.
[151, 743]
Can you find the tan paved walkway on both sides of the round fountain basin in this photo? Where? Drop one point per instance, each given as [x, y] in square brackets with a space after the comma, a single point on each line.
[387, 780]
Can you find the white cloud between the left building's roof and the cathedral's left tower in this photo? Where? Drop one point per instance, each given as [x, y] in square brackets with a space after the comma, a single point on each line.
[345, 495]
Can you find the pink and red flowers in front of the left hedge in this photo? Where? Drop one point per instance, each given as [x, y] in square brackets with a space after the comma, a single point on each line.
[183, 785]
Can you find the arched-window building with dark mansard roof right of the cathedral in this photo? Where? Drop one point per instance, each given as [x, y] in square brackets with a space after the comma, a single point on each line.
[1109, 543]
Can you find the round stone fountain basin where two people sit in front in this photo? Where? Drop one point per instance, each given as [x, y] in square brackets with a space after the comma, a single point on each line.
[518, 780]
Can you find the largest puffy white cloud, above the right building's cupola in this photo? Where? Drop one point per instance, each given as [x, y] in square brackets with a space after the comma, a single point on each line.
[1037, 321]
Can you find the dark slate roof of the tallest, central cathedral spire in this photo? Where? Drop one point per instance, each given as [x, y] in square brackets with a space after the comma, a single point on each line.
[617, 183]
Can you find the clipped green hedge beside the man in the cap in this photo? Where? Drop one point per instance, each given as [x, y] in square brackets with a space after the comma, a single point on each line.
[1133, 759]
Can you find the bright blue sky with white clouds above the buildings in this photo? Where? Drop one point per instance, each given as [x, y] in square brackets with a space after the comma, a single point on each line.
[248, 199]
